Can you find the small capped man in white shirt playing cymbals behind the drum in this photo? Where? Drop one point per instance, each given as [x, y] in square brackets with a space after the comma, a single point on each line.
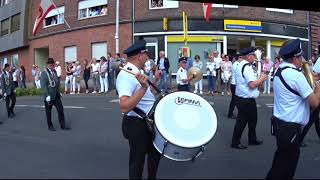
[181, 77]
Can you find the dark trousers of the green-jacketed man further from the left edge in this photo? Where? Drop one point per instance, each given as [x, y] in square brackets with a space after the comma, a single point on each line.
[58, 104]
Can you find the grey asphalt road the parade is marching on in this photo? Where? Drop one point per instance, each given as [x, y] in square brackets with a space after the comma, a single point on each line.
[95, 148]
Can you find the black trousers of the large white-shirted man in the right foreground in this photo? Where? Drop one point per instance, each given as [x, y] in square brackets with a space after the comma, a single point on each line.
[286, 157]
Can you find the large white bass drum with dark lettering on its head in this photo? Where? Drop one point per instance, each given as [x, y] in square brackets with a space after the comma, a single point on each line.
[184, 124]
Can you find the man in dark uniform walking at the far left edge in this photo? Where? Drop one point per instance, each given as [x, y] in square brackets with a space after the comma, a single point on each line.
[8, 90]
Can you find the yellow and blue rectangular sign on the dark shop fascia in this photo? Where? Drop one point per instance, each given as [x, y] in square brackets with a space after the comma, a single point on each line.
[242, 25]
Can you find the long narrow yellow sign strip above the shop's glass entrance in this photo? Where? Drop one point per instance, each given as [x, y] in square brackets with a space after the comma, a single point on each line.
[195, 39]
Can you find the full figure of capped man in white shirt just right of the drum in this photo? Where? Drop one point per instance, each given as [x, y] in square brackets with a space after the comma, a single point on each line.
[246, 91]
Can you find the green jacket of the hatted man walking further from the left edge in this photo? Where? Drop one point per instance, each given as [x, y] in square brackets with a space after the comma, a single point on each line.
[54, 90]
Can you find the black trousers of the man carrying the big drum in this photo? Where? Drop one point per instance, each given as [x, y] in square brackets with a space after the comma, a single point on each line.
[140, 142]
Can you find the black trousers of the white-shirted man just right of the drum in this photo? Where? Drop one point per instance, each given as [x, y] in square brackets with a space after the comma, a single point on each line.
[247, 115]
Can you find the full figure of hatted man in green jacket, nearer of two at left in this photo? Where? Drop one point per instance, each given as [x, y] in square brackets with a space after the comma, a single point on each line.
[50, 85]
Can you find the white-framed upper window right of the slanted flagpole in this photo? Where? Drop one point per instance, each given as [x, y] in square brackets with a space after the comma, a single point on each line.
[87, 4]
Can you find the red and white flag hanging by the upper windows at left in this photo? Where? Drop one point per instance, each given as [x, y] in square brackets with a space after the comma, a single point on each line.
[44, 8]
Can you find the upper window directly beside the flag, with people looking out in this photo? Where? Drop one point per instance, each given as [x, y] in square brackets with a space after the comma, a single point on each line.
[54, 17]
